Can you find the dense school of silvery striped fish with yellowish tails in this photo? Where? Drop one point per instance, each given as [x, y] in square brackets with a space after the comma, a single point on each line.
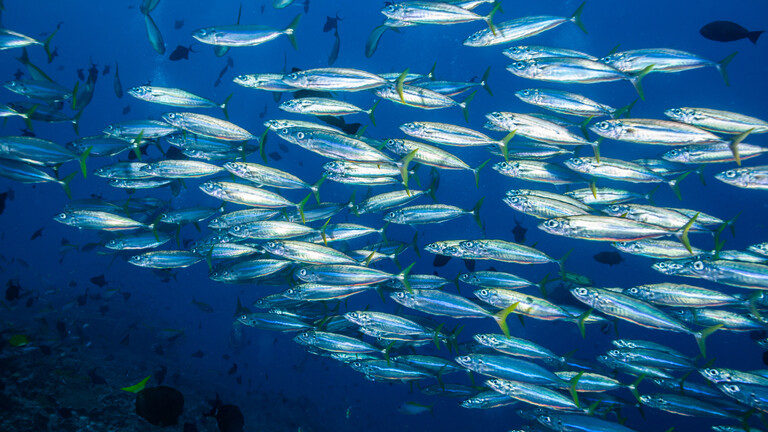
[264, 233]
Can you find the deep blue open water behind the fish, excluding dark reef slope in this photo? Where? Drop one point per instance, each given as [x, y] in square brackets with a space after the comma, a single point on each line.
[110, 32]
